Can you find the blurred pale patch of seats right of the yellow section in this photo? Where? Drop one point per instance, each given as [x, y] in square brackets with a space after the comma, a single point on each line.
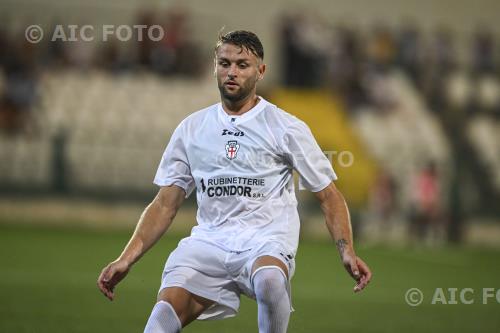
[404, 136]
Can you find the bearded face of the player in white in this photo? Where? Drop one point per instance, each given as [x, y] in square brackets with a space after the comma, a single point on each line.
[238, 71]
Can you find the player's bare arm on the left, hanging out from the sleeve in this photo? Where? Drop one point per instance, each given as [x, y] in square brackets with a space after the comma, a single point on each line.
[154, 221]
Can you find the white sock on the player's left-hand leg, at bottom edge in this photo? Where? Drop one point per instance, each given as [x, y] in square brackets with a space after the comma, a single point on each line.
[163, 319]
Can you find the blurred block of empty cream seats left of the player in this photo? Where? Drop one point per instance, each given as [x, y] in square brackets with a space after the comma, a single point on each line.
[114, 128]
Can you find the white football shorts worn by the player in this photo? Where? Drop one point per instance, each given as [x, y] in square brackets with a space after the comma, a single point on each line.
[211, 272]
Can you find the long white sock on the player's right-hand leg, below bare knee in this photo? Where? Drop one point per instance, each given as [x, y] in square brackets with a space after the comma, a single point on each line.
[270, 286]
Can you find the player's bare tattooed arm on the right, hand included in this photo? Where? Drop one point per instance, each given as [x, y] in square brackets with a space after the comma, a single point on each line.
[338, 223]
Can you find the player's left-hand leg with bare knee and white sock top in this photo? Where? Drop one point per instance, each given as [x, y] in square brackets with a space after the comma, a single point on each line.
[175, 308]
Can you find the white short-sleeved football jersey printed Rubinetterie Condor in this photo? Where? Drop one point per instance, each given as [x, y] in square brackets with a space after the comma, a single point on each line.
[241, 167]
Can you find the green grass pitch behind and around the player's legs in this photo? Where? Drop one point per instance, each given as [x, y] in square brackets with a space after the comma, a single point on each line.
[48, 284]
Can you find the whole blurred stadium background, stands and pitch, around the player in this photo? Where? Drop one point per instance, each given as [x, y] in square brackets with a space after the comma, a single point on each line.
[403, 96]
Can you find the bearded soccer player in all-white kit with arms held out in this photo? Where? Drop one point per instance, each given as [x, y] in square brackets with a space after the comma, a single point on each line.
[239, 156]
